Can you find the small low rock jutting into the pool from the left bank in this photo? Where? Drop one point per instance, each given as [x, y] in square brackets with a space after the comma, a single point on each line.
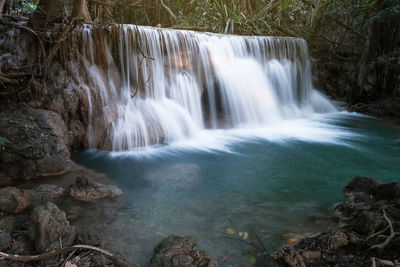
[86, 189]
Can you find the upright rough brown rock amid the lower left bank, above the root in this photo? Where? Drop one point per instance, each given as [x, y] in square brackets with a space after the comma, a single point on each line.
[49, 228]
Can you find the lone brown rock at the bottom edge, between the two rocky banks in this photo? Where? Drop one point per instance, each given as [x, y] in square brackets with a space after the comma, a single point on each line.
[175, 251]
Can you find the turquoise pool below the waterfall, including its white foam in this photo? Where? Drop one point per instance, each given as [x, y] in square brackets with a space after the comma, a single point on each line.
[272, 182]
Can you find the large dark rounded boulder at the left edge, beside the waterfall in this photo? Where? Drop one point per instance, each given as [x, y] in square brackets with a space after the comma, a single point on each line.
[34, 143]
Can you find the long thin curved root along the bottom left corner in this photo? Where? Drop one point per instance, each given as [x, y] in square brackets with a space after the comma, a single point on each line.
[23, 258]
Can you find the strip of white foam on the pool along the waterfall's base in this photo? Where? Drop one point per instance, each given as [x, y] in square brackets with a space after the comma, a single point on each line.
[320, 129]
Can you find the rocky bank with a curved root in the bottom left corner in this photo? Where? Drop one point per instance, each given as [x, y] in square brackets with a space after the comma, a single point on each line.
[35, 231]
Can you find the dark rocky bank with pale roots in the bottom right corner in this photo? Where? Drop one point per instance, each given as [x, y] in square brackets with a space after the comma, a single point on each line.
[367, 231]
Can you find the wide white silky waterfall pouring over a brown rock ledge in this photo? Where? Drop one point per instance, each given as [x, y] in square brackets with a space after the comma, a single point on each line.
[149, 85]
